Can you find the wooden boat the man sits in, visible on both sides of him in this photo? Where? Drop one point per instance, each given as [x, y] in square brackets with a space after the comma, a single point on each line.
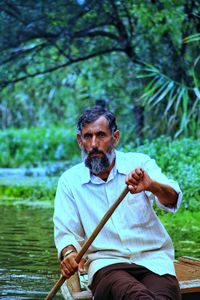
[187, 270]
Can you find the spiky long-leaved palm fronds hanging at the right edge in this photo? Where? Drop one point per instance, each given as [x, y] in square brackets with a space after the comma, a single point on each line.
[175, 103]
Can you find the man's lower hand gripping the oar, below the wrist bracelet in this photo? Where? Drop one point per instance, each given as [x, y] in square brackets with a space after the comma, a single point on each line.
[69, 266]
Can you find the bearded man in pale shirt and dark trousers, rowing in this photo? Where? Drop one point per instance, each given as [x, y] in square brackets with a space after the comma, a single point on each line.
[132, 257]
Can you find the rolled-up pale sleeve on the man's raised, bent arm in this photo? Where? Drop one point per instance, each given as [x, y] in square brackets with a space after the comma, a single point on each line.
[156, 174]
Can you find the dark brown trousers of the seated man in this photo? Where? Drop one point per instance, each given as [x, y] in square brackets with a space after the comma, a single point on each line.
[129, 282]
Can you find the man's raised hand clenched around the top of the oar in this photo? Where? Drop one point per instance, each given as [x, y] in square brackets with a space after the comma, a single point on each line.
[138, 181]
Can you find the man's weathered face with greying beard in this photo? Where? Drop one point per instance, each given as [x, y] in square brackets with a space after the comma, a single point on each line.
[97, 144]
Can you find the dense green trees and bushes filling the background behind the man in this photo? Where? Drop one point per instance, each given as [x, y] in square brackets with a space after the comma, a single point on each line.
[140, 57]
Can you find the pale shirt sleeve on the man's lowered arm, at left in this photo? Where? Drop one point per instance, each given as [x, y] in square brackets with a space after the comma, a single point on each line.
[67, 225]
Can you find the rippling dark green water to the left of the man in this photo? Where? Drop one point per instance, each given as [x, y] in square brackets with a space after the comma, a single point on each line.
[28, 258]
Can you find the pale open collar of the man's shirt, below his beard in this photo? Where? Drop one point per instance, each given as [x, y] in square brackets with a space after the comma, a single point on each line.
[119, 166]
